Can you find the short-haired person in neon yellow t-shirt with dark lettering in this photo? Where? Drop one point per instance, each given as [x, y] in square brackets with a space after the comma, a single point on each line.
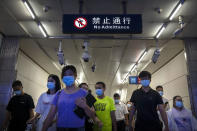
[105, 109]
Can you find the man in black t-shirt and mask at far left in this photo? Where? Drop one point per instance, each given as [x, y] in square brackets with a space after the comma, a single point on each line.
[19, 109]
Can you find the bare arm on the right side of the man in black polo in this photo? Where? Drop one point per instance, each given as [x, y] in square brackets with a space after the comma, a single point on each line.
[163, 116]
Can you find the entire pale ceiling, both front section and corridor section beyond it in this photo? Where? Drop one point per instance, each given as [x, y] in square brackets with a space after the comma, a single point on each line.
[114, 58]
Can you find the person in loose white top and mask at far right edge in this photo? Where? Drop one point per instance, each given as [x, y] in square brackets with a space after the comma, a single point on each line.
[180, 118]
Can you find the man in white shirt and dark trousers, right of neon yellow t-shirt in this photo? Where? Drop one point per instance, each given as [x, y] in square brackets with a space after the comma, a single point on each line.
[121, 113]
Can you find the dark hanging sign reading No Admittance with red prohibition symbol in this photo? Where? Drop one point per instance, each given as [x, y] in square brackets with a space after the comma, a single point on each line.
[105, 24]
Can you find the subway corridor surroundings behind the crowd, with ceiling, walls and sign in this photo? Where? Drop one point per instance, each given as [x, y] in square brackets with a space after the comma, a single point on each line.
[108, 41]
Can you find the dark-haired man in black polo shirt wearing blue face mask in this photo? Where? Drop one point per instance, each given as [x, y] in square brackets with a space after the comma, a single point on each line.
[145, 101]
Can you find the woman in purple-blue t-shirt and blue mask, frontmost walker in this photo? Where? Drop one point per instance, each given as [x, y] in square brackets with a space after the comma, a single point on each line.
[66, 101]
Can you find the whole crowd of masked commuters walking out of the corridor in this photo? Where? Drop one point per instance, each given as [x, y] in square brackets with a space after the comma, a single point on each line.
[74, 108]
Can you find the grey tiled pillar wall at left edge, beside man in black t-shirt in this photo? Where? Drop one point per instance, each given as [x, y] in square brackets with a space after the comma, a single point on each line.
[8, 58]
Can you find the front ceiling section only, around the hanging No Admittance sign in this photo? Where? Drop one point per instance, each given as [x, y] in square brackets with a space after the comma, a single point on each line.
[13, 12]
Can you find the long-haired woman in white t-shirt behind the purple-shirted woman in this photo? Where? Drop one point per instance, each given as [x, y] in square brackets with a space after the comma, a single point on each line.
[44, 102]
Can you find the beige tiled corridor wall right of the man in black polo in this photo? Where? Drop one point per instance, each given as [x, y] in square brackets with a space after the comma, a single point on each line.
[173, 77]
